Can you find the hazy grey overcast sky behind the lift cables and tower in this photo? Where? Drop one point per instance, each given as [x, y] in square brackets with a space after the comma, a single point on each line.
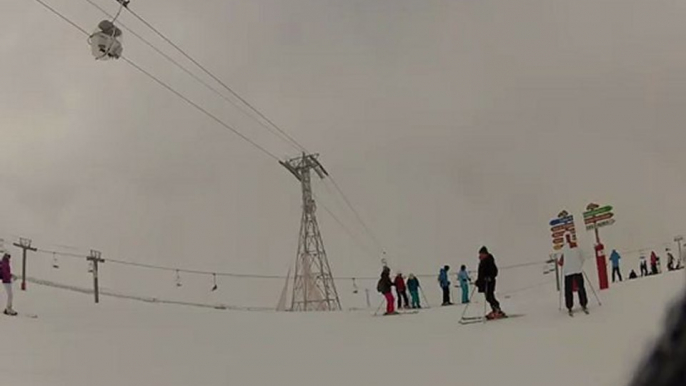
[450, 124]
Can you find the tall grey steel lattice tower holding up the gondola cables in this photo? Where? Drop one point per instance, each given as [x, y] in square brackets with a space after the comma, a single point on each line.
[313, 286]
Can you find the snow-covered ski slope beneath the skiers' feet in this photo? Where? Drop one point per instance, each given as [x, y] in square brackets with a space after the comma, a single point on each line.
[122, 342]
